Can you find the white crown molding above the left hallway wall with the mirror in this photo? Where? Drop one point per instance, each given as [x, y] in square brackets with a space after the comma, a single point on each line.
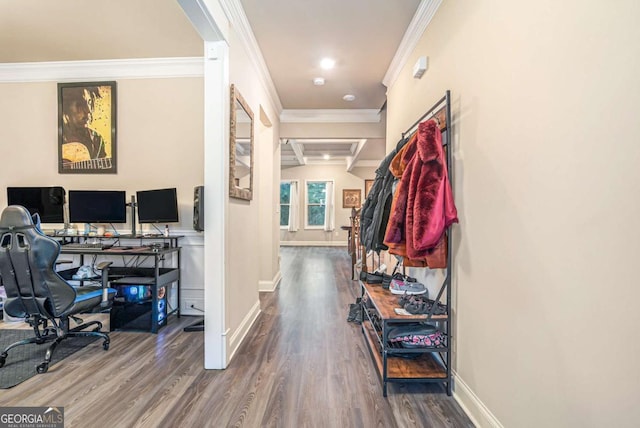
[234, 11]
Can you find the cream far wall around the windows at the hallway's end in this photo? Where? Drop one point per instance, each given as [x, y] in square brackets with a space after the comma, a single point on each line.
[343, 180]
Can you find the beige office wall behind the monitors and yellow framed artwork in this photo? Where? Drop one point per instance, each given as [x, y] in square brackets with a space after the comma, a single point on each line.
[159, 140]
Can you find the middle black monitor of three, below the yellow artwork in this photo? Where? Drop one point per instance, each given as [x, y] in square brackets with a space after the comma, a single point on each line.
[97, 206]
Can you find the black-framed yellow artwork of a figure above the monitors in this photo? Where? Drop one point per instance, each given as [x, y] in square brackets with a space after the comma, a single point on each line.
[87, 128]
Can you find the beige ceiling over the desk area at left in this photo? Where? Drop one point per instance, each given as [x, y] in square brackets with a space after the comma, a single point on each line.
[75, 30]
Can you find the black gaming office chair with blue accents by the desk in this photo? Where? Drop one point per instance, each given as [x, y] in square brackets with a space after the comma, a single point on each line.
[36, 292]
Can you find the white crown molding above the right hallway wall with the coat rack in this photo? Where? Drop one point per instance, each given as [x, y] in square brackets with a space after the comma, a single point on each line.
[425, 12]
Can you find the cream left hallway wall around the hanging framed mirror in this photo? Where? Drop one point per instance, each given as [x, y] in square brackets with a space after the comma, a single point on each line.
[247, 246]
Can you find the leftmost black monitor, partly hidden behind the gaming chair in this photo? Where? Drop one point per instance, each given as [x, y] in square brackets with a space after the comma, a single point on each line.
[47, 202]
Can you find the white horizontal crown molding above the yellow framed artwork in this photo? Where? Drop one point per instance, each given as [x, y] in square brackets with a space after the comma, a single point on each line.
[139, 68]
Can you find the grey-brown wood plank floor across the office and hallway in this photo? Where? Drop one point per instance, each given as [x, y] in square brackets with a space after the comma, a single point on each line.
[302, 365]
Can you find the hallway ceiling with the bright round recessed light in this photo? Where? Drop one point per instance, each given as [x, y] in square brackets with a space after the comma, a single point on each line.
[362, 37]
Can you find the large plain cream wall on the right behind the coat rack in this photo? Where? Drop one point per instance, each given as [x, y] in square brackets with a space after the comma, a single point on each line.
[546, 153]
